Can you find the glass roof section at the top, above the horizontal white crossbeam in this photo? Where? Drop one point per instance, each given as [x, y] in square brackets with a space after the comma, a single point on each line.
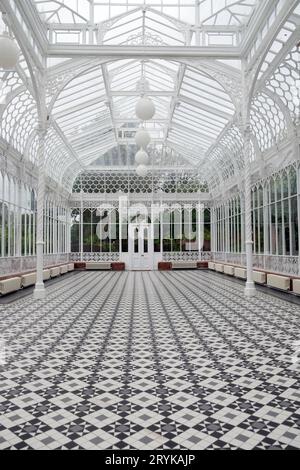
[148, 22]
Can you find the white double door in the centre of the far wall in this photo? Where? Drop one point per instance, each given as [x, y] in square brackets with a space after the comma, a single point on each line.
[141, 247]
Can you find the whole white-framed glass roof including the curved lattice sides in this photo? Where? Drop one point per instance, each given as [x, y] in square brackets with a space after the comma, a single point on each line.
[92, 100]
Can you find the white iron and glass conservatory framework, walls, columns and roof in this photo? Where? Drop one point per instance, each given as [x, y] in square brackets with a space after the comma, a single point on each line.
[224, 78]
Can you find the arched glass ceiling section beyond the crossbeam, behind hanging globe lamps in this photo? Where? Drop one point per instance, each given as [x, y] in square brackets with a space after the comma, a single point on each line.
[96, 110]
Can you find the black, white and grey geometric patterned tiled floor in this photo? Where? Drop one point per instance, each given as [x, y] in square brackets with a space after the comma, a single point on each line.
[175, 360]
